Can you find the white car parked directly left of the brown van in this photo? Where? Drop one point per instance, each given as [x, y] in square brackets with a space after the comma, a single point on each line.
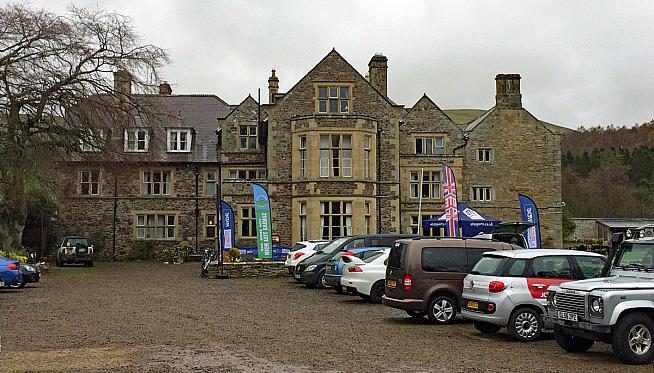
[366, 277]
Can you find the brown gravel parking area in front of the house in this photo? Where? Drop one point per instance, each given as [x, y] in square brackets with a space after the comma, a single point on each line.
[154, 317]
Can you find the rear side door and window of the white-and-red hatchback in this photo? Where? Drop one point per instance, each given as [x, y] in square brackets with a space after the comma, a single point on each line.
[545, 271]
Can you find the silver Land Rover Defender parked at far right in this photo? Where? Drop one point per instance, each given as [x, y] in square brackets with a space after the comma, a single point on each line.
[616, 309]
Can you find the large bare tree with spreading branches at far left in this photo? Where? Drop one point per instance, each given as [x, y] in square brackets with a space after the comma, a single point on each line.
[57, 89]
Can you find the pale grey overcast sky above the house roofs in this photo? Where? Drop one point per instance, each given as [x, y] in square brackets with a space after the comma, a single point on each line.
[582, 62]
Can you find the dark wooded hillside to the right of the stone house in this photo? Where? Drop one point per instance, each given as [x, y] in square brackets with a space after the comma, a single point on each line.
[609, 171]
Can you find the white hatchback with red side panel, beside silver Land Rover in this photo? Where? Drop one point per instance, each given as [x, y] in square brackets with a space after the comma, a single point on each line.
[509, 288]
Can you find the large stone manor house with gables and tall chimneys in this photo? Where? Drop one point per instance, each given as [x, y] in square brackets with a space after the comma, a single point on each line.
[337, 155]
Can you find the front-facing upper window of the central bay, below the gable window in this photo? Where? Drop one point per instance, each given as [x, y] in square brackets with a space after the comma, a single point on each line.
[335, 155]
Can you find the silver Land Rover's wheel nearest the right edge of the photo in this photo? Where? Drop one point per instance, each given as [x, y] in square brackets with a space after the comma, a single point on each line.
[632, 339]
